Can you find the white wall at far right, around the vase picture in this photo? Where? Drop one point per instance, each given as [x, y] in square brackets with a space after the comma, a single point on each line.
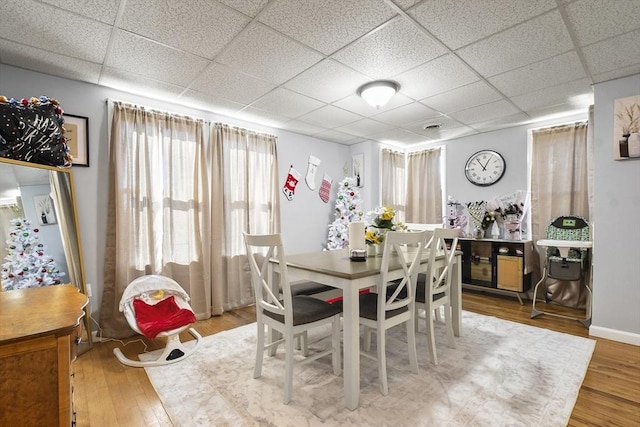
[616, 270]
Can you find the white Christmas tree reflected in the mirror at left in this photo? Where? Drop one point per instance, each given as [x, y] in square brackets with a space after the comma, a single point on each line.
[27, 264]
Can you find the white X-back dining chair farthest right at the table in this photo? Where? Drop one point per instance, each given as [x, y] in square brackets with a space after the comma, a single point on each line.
[433, 288]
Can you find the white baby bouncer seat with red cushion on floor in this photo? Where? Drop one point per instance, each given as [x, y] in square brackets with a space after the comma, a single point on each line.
[157, 306]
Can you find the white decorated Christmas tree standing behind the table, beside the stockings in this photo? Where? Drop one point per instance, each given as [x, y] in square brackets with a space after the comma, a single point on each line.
[348, 210]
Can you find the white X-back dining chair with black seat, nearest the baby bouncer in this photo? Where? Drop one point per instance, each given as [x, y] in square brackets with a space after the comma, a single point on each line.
[291, 316]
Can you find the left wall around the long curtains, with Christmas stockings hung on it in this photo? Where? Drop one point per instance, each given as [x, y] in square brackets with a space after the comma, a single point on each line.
[305, 219]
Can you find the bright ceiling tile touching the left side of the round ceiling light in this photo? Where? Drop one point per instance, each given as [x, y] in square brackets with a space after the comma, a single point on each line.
[327, 81]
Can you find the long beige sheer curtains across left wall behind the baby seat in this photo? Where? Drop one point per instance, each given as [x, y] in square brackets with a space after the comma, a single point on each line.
[178, 204]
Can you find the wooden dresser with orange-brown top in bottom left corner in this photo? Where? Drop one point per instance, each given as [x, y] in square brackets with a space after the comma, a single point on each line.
[38, 341]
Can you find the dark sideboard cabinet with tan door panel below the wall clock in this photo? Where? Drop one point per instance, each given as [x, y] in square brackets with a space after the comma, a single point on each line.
[504, 265]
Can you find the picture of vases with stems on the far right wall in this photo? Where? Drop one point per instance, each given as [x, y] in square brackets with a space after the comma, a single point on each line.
[626, 128]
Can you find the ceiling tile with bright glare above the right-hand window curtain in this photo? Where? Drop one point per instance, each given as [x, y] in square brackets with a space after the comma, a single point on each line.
[566, 93]
